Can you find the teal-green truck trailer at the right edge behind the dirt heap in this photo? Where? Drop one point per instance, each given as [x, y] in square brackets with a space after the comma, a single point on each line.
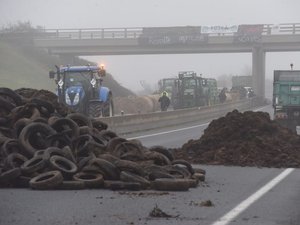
[286, 98]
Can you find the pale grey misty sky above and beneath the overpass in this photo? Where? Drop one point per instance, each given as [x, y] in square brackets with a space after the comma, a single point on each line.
[132, 70]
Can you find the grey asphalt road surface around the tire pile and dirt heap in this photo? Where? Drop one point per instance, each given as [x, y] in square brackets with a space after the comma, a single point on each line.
[240, 196]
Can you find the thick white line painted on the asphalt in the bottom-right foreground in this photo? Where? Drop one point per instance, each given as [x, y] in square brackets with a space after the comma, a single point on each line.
[228, 217]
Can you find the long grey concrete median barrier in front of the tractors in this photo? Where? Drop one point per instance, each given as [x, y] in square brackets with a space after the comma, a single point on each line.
[141, 122]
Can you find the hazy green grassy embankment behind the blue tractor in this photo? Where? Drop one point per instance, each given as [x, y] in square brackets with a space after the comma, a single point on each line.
[24, 66]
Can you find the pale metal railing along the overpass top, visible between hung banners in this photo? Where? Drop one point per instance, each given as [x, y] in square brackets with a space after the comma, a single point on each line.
[136, 32]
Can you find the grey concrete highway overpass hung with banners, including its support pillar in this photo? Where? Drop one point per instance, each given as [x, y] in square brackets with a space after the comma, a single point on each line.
[251, 38]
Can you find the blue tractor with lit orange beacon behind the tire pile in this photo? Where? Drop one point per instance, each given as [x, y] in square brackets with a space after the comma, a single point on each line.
[80, 88]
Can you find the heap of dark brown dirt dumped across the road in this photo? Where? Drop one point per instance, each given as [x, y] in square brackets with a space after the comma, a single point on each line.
[244, 139]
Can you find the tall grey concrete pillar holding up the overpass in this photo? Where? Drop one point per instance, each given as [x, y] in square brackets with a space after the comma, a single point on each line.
[258, 71]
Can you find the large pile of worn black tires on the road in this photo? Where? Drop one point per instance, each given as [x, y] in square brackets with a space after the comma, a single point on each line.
[43, 149]
